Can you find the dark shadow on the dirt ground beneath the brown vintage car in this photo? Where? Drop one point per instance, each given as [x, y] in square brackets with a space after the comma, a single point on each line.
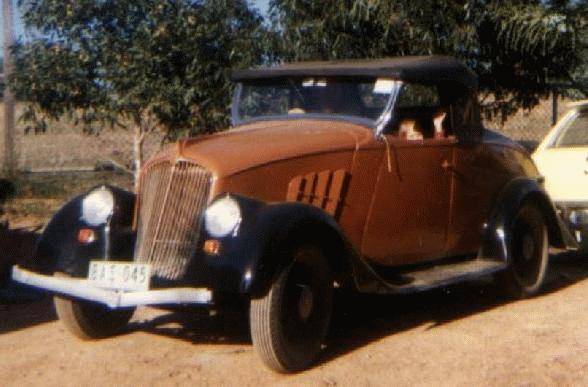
[361, 319]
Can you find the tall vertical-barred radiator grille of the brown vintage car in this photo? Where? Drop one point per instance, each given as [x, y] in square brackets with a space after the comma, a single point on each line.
[172, 199]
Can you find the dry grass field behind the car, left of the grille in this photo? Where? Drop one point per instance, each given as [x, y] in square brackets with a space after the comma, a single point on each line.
[66, 150]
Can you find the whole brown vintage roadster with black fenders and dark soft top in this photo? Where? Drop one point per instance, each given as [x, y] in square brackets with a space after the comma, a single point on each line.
[373, 176]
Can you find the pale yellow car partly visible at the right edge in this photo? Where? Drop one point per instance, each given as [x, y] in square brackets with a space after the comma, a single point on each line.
[562, 158]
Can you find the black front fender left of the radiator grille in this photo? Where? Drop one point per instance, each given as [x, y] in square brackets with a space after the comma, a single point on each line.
[58, 248]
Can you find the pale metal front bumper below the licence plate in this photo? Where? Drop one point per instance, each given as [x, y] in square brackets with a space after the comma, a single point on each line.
[79, 288]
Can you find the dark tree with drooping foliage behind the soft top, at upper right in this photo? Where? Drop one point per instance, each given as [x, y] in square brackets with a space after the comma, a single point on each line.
[516, 47]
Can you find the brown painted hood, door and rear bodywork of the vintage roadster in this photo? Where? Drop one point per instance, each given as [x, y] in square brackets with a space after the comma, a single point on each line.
[431, 203]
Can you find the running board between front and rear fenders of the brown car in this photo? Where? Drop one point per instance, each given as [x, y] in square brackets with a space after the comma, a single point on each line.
[423, 279]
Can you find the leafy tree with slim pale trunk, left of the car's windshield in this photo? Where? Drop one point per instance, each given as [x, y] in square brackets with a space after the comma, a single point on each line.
[136, 64]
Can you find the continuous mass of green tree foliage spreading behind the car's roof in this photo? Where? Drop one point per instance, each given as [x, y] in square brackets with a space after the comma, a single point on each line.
[166, 64]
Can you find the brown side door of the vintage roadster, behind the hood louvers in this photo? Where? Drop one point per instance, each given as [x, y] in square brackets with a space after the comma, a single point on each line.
[408, 219]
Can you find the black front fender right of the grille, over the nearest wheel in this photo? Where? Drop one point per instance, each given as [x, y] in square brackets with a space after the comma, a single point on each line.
[250, 260]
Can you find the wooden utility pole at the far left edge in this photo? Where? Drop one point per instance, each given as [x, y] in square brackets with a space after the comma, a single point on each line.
[8, 130]
